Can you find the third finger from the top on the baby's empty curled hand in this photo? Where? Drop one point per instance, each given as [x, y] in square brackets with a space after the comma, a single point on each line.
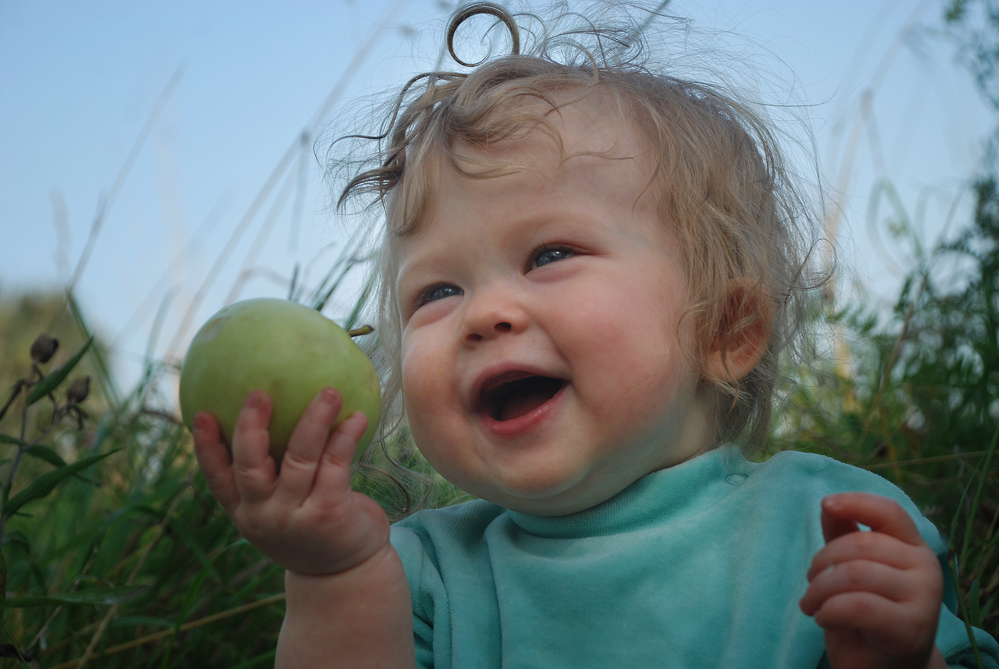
[856, 576]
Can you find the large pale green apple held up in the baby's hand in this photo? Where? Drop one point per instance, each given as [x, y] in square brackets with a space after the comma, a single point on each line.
[285, 349]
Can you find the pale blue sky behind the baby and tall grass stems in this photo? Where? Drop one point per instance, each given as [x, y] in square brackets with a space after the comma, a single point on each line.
[79, 80]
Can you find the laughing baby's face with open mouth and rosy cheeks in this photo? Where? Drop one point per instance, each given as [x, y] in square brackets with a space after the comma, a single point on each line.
[543, 341]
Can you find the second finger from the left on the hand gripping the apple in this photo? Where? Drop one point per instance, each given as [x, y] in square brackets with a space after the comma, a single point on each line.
[252, 464]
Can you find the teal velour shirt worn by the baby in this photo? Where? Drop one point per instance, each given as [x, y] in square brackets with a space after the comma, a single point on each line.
[697, 565]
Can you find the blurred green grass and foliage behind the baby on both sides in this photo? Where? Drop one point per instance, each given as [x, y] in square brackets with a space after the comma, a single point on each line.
[117, 555]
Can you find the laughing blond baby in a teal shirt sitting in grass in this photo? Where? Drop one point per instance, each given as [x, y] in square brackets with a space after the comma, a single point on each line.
[589, 275]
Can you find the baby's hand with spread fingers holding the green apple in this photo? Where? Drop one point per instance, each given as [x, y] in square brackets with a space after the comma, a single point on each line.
[308, 519]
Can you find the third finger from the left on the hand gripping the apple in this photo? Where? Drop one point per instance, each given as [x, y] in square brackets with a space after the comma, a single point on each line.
[305, 447]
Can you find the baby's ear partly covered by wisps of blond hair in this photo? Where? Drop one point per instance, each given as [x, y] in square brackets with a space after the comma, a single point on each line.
[742, 334]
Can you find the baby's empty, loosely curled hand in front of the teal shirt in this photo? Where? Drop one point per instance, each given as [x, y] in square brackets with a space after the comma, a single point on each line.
[876, 594]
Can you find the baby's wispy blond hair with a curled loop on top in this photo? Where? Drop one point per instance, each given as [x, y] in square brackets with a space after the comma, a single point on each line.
[726, 193]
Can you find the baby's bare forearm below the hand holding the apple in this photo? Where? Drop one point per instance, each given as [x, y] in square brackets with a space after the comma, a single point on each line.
[358, 618]
